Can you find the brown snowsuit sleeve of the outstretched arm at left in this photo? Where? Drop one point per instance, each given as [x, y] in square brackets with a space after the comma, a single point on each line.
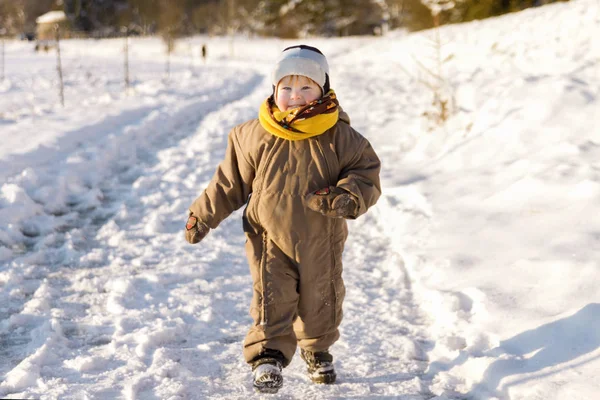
[229, 188]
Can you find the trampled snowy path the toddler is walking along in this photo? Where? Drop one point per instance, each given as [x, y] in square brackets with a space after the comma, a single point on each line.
[118, 305]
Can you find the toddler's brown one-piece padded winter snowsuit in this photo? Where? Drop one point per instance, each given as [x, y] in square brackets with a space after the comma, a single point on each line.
[295, 254]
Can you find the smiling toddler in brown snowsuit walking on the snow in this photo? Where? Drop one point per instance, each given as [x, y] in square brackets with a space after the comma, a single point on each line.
[301, 171]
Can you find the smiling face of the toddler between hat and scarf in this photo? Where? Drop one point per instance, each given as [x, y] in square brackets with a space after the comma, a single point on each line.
[296, 91]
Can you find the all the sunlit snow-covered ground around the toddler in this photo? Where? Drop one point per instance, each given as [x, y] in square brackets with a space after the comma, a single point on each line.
[475, 276]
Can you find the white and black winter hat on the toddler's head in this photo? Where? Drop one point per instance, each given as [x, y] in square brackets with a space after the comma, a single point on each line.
[302, 60]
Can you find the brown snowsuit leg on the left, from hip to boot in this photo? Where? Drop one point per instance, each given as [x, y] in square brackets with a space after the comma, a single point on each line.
[275, 297]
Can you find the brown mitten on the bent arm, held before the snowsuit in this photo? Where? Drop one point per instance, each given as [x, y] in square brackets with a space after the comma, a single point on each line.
[333, 202]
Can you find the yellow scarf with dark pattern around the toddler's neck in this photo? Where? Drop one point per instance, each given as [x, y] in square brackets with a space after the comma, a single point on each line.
[311, 120]
